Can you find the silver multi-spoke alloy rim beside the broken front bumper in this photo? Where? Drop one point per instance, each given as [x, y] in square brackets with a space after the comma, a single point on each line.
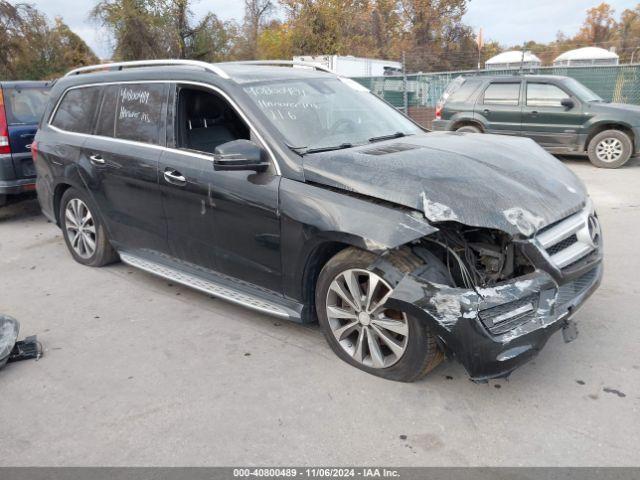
[371, 334]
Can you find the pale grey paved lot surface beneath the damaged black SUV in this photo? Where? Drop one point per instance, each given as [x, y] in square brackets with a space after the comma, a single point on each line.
[141, 372]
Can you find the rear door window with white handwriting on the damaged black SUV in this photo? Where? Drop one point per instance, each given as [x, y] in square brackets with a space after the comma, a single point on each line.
[139, 112]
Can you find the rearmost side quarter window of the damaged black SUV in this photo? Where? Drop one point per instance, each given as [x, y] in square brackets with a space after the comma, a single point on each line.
[77, 109]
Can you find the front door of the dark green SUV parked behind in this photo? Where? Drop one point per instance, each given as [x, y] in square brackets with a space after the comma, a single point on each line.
[546, 121]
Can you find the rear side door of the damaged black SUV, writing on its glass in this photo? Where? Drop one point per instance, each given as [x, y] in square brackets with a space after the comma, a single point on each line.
[120, 163]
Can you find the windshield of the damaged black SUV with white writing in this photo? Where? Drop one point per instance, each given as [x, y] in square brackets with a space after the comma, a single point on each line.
[323, 113]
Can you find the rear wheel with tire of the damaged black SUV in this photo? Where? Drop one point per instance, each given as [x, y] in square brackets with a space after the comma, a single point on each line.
[83, 232]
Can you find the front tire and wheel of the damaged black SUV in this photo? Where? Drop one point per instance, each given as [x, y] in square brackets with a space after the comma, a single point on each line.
[384, 342]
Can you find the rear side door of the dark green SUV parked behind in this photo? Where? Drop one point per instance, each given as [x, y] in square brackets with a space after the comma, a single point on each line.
[498, 108]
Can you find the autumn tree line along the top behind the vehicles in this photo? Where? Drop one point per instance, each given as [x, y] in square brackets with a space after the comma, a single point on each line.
[431, 34]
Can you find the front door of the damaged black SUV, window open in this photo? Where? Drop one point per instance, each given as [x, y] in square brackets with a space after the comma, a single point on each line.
[225, 221]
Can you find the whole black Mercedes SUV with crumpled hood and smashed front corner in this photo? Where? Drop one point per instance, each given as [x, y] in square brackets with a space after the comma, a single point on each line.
[300, 194]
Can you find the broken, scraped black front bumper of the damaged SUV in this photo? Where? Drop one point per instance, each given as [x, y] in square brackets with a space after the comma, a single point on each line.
[492, 331]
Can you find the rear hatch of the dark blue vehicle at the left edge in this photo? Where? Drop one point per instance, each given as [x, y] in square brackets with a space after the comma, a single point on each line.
[24, 105]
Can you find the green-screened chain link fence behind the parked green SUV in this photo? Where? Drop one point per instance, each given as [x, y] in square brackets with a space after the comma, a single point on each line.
[419, 93]
